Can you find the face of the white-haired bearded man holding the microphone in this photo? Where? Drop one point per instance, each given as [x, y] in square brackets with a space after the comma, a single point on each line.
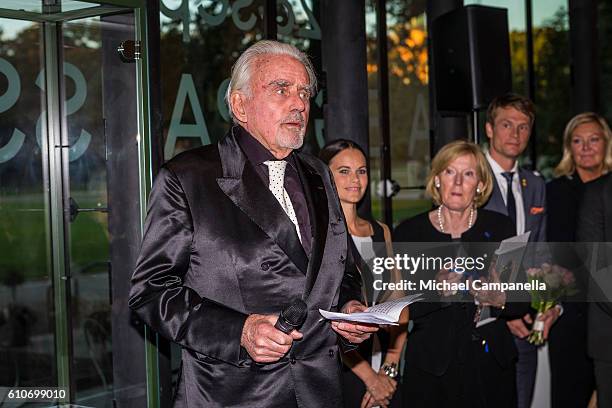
[276, 111]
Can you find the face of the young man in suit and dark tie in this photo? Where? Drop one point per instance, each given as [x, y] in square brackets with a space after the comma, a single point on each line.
[509, 134]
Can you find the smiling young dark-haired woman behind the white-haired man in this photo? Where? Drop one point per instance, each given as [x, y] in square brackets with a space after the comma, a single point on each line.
[369, 375]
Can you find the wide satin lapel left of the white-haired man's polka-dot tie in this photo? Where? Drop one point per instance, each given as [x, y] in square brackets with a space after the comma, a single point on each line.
[242, 185]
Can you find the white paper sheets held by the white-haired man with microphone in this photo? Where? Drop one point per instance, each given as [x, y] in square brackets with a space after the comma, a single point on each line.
[382, 313]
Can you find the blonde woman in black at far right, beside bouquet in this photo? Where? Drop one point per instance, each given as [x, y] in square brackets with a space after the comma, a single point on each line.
[587, 154]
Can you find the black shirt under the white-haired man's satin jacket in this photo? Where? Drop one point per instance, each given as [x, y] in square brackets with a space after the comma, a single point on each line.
[257, 154]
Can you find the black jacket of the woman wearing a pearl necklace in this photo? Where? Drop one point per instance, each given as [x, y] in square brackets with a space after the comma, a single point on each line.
[443, 331]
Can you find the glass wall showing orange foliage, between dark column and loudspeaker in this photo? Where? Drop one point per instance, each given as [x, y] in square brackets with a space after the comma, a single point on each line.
[408, 98]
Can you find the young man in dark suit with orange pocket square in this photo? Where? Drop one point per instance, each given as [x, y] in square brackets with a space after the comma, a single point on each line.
[520, 194]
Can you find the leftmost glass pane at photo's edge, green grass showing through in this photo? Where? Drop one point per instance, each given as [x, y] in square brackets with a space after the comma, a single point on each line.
[27, 351]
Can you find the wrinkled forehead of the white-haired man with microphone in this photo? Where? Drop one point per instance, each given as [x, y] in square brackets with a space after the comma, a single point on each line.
[279, 69]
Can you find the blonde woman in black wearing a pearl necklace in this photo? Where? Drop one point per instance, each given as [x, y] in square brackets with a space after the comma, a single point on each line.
[450, 362]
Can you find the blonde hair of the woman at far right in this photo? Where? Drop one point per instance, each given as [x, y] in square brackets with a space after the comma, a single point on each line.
[567, 165]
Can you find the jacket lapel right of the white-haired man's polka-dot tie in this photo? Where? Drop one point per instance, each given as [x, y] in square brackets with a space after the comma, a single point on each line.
[316, 201]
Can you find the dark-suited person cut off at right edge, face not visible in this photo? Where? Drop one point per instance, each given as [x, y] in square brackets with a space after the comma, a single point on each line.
[595, 225]
